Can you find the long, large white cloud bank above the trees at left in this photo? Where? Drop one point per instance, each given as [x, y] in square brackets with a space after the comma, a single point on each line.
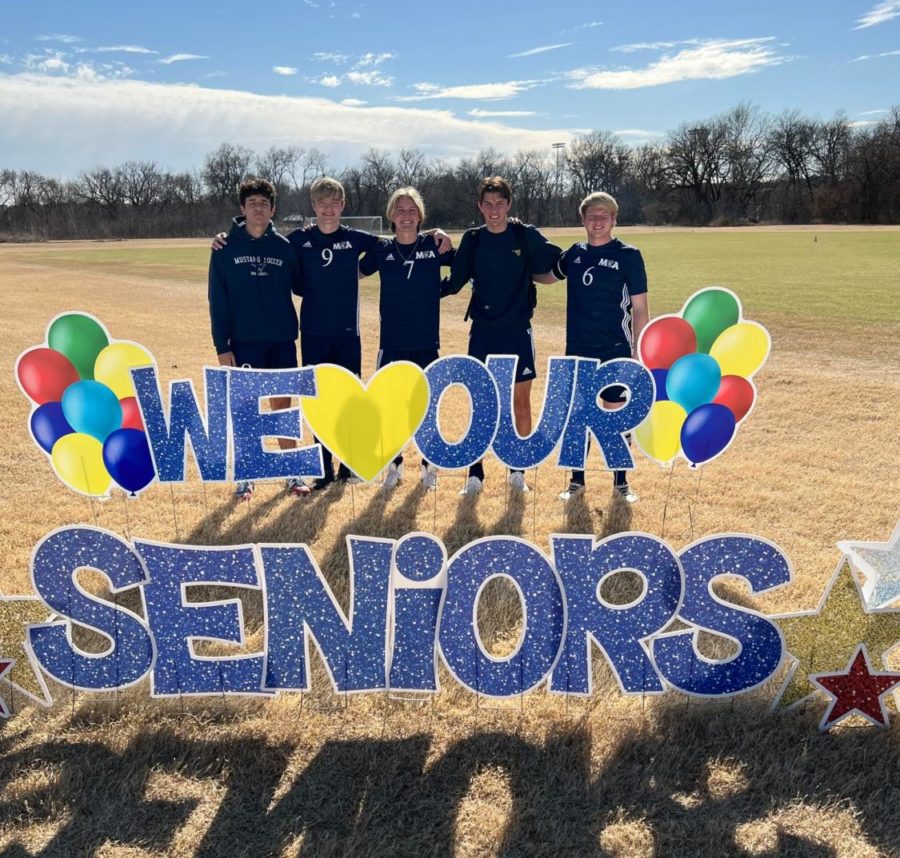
[60, 125]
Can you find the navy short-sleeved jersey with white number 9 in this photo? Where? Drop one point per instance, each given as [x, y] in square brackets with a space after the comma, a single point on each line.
[330, 266]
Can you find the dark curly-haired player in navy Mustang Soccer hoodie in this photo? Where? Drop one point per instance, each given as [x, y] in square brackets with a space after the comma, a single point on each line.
[250, 304]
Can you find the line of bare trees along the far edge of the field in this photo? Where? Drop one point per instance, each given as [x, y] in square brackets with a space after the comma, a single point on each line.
[743, 166]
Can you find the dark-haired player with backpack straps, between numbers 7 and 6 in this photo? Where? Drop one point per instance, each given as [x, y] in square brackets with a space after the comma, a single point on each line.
[502, 259]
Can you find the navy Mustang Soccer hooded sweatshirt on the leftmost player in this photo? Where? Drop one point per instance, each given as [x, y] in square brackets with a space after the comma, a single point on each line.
[250, 286]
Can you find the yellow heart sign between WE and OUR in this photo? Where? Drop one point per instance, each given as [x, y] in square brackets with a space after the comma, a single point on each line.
[366, 427]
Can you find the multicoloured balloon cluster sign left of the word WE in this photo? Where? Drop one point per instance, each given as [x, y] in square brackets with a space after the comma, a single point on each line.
[86, 416]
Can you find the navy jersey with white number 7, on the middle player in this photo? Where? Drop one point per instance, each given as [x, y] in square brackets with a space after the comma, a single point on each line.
[410, 294]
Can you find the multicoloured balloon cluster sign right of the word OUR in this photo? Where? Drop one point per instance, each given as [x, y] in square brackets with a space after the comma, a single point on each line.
[702, 361]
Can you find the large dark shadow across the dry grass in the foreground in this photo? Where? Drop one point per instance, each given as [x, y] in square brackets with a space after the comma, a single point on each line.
[399, 796]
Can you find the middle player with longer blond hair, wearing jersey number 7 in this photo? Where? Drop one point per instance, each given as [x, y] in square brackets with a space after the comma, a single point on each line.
[409, 266]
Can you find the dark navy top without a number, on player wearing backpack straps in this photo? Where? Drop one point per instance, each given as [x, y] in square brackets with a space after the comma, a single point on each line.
[500, 268]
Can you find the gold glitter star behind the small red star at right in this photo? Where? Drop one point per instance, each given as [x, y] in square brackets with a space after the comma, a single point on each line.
[825, 639]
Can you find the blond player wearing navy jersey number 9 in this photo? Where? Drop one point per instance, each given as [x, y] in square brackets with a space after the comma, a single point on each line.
[329, 254]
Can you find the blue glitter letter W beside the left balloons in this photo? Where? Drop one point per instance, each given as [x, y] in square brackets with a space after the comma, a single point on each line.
[167, 436]
